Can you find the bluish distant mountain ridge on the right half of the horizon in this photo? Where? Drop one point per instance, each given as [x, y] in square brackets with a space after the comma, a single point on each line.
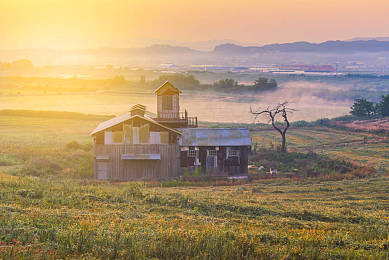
[325, 47]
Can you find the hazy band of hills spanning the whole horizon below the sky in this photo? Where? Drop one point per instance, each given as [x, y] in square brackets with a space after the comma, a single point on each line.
[370, 52]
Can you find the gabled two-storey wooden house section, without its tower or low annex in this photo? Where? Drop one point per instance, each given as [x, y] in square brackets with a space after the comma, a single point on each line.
[133, 146]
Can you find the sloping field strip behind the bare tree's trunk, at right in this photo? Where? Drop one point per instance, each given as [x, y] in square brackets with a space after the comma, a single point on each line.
[339, 144]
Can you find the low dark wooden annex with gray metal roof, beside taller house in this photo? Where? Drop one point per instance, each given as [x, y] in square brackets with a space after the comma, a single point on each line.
[216, 151]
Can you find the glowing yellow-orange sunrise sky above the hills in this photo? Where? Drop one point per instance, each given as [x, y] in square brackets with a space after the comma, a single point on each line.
[74, 24]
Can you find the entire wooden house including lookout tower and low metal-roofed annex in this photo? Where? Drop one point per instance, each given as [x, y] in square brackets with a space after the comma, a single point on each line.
[135, 146]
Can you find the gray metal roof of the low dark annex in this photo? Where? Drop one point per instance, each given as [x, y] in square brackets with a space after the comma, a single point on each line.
[215, 137]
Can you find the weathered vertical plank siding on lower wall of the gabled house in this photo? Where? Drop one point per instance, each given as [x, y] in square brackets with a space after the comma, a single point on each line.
[124, 170]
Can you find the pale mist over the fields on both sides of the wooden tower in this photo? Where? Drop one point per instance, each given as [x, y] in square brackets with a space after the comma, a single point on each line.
[311, 100]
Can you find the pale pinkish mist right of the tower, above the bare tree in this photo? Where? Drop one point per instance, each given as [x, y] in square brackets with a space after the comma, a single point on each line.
[306, 98]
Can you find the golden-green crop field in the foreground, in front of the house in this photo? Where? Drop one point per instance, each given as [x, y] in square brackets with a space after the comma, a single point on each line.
[66, 218]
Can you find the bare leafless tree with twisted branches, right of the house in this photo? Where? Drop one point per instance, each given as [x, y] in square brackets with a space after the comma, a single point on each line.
[279, 110]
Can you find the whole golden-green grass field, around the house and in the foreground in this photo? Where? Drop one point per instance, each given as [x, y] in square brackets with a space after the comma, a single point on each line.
[50, 206]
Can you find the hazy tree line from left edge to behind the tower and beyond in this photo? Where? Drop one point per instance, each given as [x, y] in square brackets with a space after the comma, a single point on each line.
[181, 81]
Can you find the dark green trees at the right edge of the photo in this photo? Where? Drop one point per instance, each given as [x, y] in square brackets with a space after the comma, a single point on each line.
[363, 108]
